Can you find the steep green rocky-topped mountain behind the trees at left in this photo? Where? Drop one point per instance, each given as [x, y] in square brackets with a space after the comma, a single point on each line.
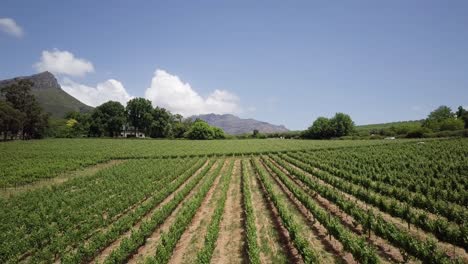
[50, 95]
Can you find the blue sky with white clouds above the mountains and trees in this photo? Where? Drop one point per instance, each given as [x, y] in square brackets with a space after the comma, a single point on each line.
[284, 62]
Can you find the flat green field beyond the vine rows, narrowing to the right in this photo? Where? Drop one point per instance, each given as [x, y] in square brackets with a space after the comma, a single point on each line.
[23, 162]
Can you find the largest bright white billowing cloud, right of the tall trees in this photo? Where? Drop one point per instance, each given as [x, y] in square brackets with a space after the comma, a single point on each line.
[170, 92]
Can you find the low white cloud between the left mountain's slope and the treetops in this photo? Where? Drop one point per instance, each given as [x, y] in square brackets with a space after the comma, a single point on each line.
[94, 96]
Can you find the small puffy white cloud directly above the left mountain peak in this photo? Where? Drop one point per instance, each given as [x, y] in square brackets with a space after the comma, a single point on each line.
[63, 62]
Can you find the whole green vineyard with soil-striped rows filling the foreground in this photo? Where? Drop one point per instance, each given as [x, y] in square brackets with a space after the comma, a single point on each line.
[253, 201]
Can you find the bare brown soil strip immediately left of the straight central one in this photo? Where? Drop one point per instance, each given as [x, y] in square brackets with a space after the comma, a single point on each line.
[192, 239]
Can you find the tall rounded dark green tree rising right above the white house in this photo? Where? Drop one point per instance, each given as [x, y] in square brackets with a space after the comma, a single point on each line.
[139, 112]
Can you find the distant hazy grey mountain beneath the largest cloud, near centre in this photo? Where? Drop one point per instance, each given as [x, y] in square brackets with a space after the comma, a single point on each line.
[234, 125]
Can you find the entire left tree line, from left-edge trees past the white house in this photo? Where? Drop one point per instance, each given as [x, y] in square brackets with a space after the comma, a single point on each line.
[21, 116]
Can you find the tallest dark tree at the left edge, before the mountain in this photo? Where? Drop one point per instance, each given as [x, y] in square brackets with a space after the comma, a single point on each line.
[20, 98]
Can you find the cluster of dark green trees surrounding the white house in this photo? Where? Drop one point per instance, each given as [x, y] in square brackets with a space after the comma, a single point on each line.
[112, 119]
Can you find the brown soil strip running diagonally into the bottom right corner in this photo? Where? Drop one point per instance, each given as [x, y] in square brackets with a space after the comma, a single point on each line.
[450, 249]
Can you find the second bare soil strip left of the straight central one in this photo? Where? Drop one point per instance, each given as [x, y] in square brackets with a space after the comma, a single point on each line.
[149, 248]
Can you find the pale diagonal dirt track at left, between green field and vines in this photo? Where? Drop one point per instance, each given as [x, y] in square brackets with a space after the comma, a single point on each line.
[61, 178]
